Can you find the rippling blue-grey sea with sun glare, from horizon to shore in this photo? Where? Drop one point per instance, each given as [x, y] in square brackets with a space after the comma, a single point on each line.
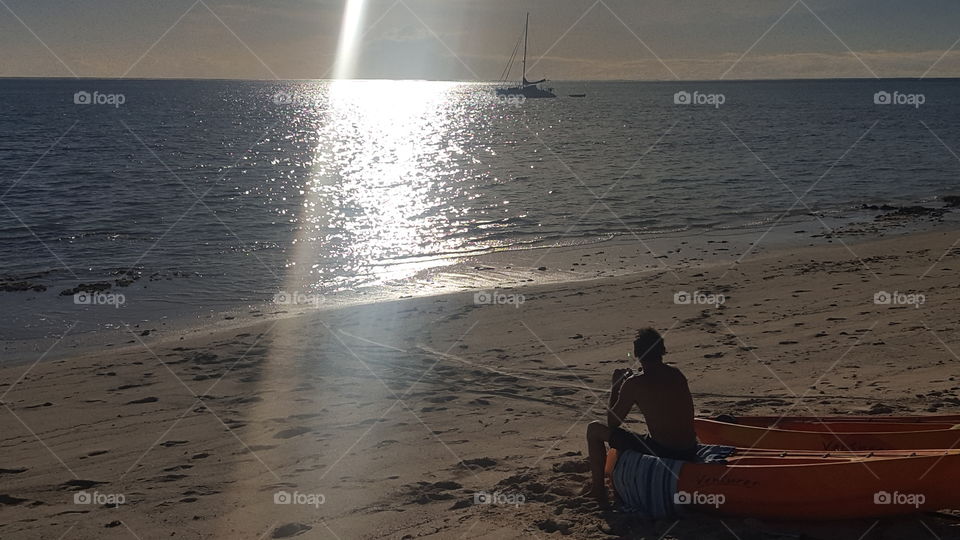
[192, 197]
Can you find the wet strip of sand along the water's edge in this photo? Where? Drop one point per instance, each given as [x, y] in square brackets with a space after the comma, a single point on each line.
[499, 269]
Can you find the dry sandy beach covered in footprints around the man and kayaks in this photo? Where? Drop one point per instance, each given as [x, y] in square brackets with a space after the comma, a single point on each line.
[391, 420]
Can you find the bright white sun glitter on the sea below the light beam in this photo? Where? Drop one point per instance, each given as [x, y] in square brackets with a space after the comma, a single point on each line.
[375, 206]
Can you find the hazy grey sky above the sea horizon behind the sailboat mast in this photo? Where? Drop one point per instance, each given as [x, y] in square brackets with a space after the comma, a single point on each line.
[472, 39]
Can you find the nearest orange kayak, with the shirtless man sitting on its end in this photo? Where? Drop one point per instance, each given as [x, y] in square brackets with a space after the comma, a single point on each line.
[822, 488]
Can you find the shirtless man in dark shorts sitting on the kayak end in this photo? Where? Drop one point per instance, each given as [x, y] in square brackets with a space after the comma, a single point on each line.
[661, 394]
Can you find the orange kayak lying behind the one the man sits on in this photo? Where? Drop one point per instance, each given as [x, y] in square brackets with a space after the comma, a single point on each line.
[827, 435]
